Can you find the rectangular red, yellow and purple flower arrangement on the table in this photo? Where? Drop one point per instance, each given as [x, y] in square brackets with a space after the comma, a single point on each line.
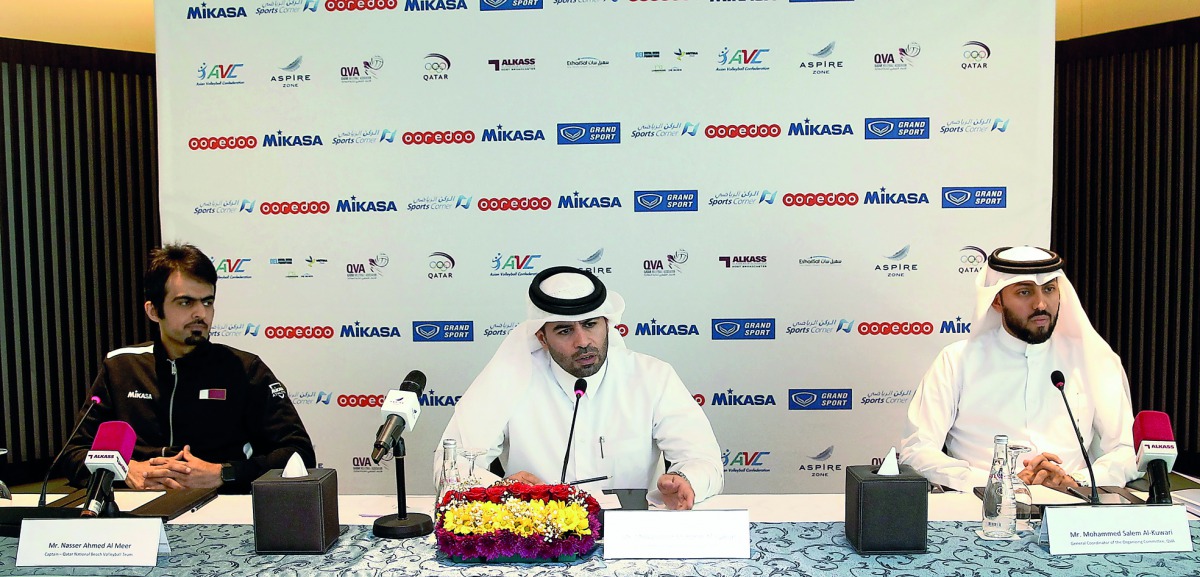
[518, 522]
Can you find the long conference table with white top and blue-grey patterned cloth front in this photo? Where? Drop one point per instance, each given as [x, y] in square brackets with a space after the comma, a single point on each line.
[790, 536]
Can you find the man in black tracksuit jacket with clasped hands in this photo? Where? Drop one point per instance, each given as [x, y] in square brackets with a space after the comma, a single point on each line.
[206, 416]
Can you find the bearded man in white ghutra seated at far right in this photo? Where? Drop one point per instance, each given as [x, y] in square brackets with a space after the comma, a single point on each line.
[1029, 323]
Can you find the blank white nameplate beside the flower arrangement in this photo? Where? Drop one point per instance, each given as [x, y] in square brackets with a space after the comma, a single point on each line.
[677, 534]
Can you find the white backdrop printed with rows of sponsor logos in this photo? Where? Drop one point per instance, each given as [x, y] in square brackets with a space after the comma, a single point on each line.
[839, 169]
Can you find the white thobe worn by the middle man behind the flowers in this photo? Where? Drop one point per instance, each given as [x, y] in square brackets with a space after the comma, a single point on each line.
[635, 412]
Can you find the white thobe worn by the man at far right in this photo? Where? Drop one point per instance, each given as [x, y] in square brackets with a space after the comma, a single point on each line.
[998, 384]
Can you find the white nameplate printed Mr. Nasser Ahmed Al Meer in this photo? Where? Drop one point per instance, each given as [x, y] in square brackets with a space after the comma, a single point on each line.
[92, 543]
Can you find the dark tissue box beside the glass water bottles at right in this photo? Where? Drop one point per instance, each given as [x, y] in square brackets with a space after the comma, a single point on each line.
[887, 514]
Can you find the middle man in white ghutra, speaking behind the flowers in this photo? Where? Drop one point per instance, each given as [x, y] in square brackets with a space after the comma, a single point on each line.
[634, 413]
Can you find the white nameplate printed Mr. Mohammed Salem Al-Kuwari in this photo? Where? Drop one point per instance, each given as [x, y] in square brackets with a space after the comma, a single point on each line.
[1115, 530]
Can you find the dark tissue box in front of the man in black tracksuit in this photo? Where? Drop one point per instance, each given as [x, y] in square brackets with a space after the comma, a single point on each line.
[297, 515]
